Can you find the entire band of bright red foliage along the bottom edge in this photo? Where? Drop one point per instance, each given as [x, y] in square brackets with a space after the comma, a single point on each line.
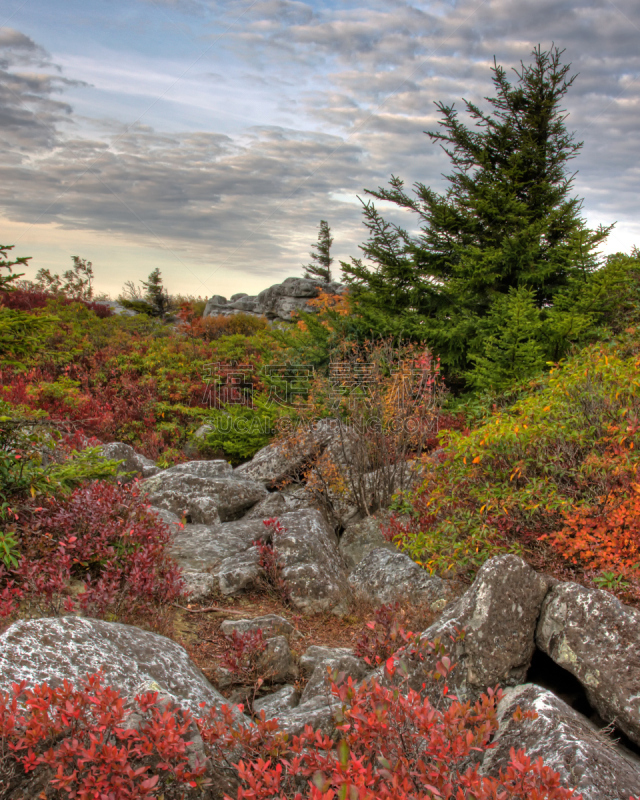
[82, 743]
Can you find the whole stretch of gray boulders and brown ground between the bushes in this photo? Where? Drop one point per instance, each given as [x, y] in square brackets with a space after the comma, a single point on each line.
[569, 653]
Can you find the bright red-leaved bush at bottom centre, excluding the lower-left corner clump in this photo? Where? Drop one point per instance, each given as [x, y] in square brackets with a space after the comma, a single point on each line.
[390, 744]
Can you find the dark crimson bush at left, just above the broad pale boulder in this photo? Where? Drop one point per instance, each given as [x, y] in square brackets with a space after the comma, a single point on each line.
[102, 537]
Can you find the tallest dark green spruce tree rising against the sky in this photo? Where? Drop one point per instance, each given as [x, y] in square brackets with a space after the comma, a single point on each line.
[507, 222]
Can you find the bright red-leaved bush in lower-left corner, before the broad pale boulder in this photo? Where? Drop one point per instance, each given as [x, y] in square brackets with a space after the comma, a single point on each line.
[76, 743]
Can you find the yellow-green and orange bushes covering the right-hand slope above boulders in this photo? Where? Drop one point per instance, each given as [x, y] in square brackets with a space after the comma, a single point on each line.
[562, 459]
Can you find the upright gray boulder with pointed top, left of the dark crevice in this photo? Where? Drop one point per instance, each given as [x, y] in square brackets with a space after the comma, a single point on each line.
[499, 613]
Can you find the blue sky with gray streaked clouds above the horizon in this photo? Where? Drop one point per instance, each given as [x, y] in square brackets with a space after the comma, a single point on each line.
[209, 138]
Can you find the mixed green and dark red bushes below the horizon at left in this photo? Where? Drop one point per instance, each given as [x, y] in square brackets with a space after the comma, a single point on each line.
[121, 379]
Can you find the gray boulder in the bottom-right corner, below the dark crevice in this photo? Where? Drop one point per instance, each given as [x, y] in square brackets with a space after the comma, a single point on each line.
[585, 758]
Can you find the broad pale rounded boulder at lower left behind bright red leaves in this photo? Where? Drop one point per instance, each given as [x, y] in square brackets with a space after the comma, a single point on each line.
[52, 650]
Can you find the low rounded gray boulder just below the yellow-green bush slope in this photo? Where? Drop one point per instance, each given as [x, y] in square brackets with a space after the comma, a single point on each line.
[385, 576]
